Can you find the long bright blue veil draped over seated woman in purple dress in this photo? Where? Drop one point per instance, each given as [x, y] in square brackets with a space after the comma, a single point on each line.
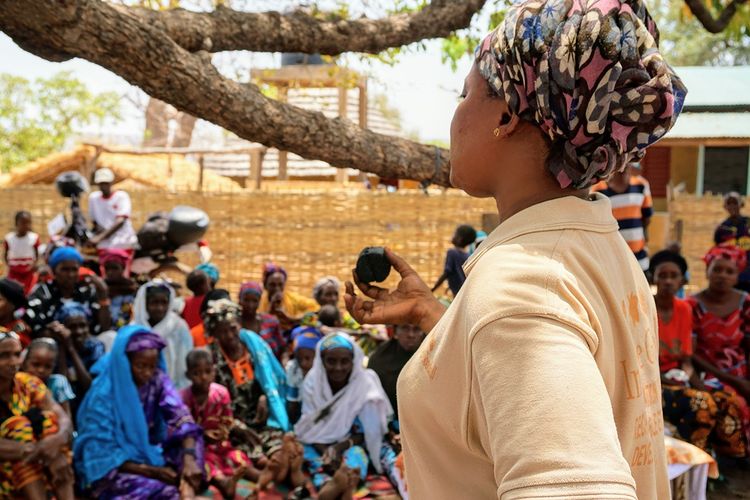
[112, 427]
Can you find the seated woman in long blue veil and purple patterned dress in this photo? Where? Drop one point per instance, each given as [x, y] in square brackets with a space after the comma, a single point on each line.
[136, 438]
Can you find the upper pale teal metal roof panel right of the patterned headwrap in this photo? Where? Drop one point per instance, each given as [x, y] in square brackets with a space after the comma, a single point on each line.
[716, 86]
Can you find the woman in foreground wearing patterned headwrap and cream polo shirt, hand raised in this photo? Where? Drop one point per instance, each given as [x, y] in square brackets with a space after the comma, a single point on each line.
[542, 378]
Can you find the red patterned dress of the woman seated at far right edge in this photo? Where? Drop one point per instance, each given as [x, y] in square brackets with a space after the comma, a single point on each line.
[719, 340]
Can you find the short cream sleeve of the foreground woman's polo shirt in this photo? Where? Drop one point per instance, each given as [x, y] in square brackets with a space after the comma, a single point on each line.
[547, 423]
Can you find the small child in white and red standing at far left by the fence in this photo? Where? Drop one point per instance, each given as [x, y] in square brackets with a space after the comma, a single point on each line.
[22, 252]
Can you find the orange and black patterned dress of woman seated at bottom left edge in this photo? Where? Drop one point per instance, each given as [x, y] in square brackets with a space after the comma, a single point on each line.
[23, 421]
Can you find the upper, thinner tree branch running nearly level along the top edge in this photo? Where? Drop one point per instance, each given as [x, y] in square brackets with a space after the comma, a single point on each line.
[226, 29]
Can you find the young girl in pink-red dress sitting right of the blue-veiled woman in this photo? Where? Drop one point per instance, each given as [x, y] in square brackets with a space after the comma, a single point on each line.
[211, 407]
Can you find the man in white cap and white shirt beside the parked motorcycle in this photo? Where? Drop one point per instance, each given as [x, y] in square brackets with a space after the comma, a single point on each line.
[110, 213]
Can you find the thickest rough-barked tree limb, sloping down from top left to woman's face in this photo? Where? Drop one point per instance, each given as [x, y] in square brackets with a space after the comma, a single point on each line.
[147, 57]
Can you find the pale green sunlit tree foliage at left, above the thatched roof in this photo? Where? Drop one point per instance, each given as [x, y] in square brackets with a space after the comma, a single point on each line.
[37, 117]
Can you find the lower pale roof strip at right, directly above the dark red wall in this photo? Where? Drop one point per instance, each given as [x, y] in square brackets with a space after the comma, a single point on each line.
[711, 125]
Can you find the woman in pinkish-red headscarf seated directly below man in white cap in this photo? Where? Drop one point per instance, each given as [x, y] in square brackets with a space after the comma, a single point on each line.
[121, 288]
